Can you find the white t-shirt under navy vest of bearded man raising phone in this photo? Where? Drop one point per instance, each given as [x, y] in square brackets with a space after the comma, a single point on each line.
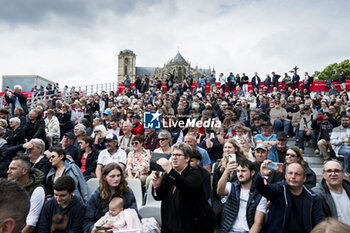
[241, 223]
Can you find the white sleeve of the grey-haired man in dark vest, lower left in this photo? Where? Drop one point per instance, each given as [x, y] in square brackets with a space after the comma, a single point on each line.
[36, 204]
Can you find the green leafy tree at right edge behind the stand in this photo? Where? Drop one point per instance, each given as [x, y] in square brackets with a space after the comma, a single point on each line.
[333, 71]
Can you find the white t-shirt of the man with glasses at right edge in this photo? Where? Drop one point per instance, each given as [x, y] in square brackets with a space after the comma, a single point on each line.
[342, 203]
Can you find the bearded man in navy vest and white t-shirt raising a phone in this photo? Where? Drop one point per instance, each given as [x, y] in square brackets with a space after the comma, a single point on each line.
[245, 208]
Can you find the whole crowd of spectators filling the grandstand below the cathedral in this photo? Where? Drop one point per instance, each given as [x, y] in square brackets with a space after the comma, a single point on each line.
[53, 149]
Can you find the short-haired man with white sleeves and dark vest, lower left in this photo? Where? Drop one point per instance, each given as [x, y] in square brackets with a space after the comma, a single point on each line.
[30, 179]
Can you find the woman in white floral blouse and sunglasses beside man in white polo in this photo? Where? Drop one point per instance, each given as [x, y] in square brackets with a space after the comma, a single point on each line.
[138, 160]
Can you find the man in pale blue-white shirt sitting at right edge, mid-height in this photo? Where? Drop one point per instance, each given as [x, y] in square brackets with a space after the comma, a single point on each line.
[340, 140]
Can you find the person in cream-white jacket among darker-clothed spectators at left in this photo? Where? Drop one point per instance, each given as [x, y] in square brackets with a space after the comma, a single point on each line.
[52, 127]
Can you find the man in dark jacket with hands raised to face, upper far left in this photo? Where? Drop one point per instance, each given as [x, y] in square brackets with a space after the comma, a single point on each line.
[17, 98]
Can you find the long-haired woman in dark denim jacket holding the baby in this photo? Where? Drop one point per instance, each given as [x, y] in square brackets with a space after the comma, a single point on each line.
[112, 183]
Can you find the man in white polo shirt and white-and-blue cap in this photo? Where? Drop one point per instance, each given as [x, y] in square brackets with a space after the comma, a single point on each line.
[112, 154]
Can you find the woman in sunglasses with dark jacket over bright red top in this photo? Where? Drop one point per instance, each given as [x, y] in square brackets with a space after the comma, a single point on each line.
[87, 160]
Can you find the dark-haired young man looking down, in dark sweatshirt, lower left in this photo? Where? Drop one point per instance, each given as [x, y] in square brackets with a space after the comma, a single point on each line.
[65, 212]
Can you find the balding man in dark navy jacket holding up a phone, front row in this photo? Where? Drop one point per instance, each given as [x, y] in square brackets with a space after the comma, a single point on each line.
[293, 207]
